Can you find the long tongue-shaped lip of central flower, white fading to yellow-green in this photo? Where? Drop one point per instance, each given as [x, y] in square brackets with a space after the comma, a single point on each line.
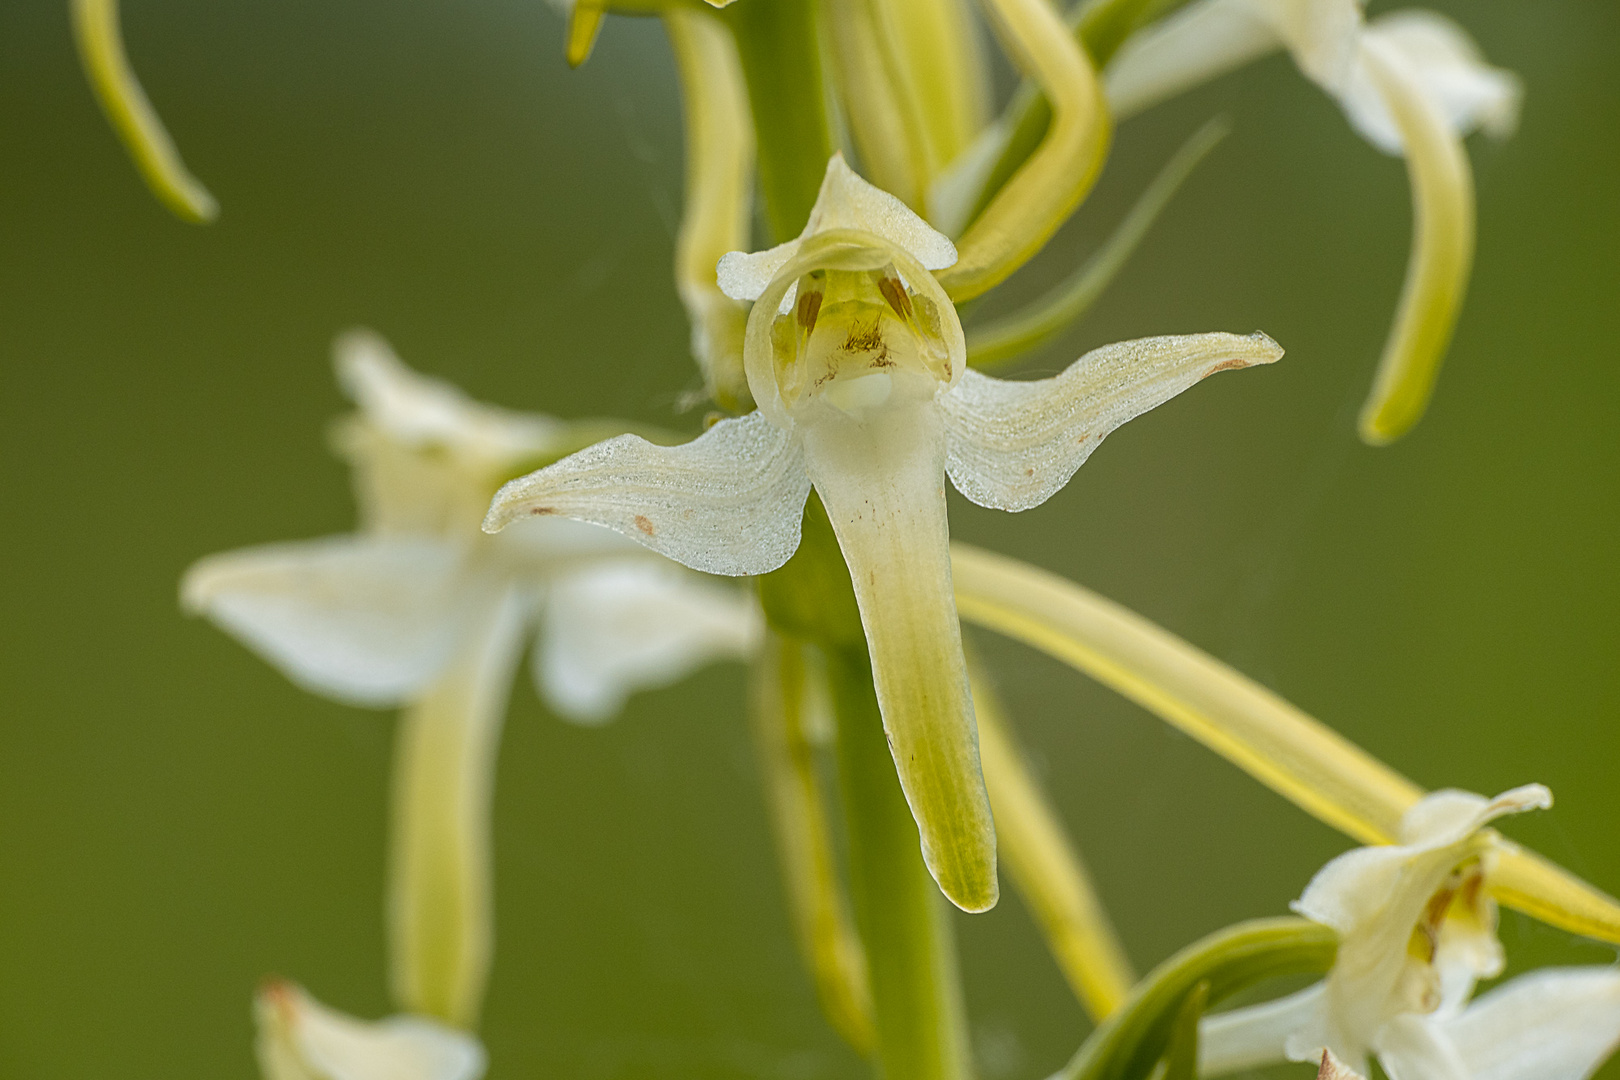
[882, 478]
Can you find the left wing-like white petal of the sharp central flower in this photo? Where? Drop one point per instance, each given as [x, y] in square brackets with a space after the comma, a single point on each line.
[727, 503]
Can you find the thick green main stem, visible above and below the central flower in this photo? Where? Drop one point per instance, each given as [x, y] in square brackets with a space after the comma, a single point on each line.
[902, 916]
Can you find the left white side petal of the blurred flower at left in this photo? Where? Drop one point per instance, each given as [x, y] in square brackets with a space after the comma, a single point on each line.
[369, 621]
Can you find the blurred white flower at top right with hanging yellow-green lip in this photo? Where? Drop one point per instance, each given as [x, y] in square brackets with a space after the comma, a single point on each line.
[1412, 83]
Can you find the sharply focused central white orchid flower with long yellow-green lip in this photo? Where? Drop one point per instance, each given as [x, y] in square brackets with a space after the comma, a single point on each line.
[856, 360]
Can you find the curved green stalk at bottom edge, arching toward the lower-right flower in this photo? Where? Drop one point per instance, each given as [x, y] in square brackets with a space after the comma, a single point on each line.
[1156, 1021]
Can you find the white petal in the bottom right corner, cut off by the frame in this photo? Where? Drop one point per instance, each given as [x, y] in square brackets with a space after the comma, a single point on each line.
[1558, 1024]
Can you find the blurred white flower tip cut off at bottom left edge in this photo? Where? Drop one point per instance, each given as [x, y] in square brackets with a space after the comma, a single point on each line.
[304, 1040]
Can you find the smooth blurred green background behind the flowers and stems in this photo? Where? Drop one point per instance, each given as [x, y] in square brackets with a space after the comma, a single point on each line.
[177, 822]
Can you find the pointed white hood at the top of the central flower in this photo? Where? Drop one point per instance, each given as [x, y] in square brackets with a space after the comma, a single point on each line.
[846, 202]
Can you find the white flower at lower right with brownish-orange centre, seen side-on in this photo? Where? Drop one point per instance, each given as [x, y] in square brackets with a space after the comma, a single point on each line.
[1417, 932]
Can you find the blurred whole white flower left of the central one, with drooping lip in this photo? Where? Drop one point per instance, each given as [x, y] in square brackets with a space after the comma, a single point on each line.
[420, 610]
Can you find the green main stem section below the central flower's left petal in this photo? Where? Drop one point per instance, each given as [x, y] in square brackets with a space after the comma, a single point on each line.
[900, 914]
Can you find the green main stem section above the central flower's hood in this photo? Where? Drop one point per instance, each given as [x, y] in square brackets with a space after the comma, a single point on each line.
[782, 59]
